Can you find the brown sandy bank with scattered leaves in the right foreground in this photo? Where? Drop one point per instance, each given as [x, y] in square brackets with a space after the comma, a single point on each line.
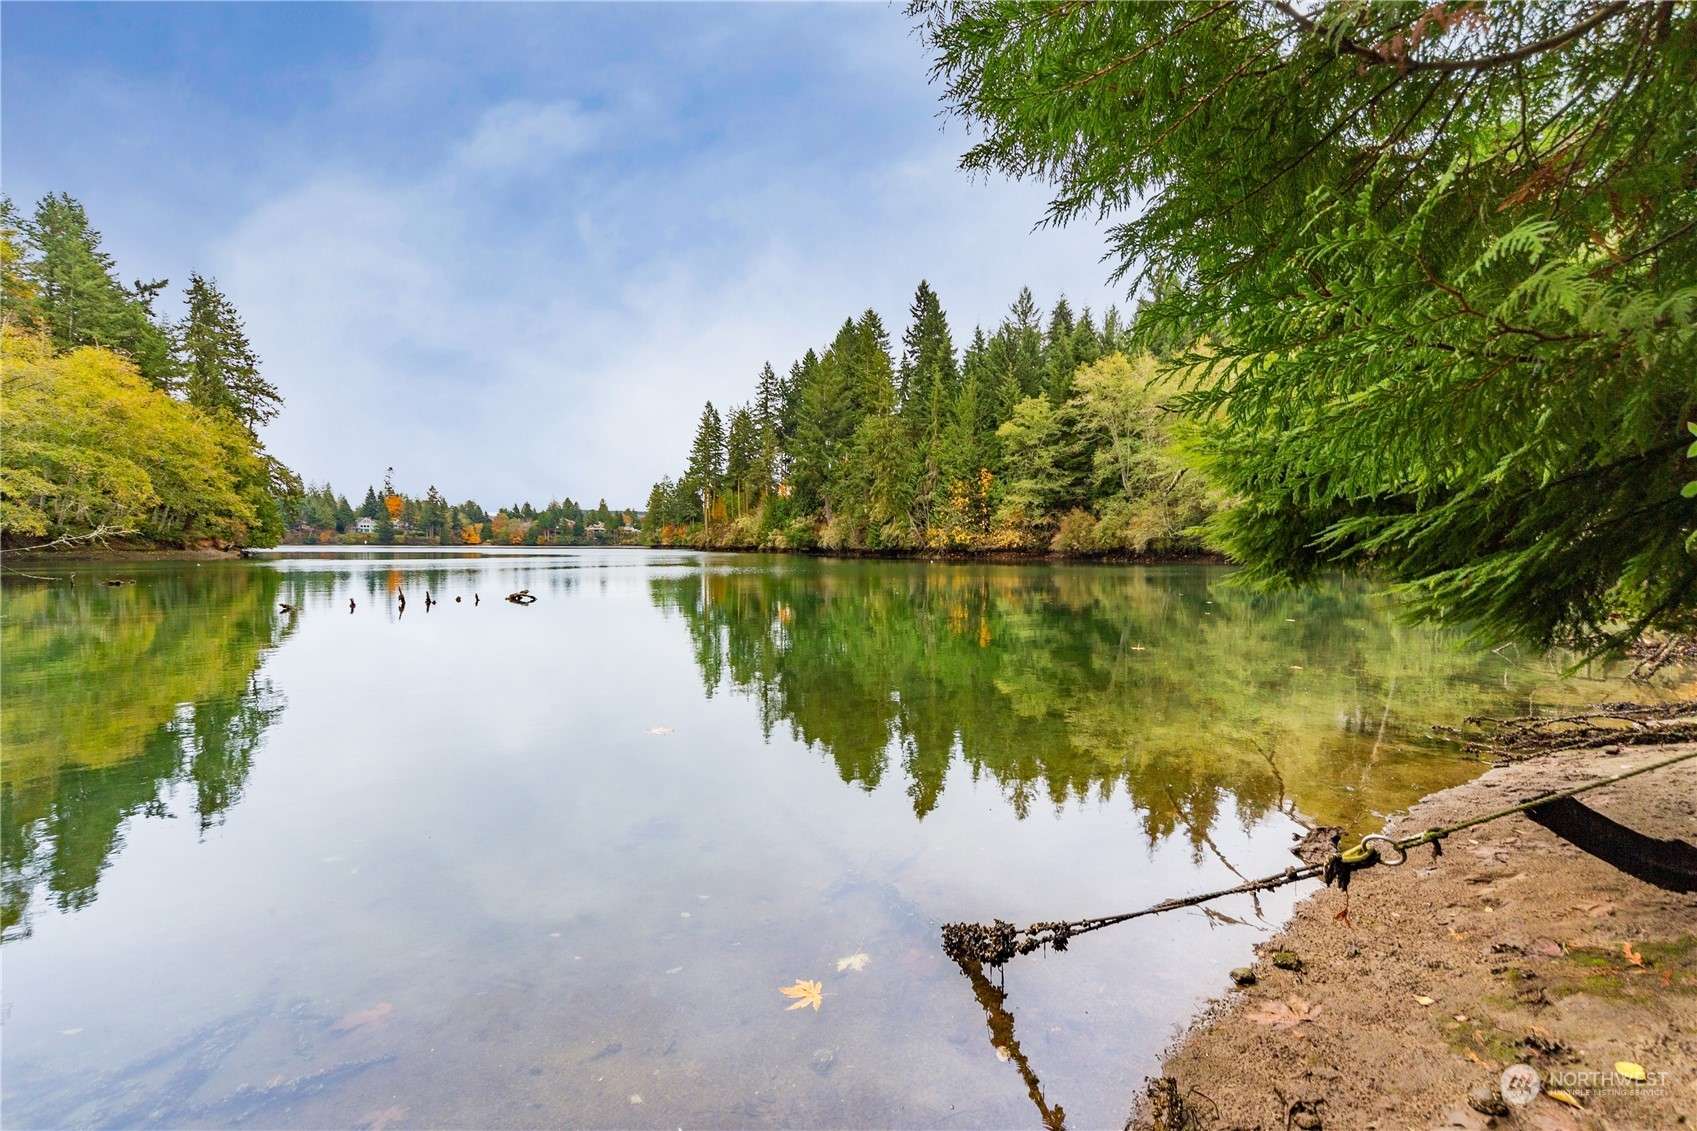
[1409, 996]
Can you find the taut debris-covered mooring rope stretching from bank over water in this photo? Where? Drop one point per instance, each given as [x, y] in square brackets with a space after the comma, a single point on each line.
[999, 942]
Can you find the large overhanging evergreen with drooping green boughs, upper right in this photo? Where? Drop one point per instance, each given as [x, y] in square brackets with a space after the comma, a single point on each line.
[1443, 262]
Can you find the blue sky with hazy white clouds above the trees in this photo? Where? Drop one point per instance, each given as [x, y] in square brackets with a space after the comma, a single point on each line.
[512, 249]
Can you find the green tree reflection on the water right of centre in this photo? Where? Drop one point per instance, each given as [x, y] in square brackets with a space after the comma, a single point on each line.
[1075, 684]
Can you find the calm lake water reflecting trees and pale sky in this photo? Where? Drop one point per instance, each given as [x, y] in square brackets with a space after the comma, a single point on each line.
[490, 865]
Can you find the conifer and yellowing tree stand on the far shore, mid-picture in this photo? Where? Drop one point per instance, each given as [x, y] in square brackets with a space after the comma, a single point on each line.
[1043, 437]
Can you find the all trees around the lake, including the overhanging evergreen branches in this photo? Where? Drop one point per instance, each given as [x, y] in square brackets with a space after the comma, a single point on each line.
[1418, 295]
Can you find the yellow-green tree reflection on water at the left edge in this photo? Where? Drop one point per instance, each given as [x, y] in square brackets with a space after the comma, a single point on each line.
[115, 701]
